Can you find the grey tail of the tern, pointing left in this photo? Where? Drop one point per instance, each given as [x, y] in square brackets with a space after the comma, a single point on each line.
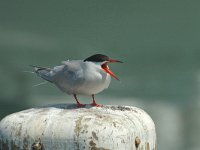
[45, 73]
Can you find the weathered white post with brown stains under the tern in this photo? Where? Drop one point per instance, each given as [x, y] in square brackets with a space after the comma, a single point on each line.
[65, 127]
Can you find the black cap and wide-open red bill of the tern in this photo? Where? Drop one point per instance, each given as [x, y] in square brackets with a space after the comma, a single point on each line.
[103, 60]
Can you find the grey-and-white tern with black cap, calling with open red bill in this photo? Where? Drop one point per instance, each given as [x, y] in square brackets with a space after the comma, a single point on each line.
[80, 77]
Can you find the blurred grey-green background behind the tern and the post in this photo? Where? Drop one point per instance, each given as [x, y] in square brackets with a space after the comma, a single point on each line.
[159, 41]
